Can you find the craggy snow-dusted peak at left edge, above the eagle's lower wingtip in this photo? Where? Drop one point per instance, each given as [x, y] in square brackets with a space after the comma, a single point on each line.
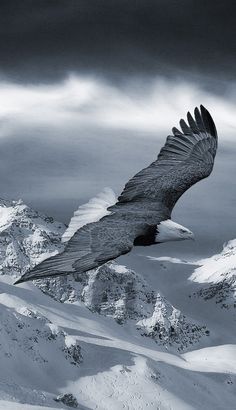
[26, 237]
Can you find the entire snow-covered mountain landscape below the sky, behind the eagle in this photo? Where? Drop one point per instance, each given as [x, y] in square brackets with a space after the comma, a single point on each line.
[118, 340]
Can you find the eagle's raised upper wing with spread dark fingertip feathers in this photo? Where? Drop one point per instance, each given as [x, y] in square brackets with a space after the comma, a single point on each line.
[186, 158]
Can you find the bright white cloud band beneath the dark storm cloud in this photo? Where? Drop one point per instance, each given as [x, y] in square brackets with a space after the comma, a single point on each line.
[81, 102]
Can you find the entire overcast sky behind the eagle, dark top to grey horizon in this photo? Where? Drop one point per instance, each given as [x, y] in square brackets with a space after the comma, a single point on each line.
[89, 90]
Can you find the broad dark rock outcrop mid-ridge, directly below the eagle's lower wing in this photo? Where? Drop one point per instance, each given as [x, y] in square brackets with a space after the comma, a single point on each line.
[113, 290]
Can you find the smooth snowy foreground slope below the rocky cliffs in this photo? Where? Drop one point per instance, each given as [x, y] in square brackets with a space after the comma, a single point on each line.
[120, 368]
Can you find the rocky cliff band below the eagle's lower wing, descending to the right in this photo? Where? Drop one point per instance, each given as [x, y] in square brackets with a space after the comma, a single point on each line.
[115, 291]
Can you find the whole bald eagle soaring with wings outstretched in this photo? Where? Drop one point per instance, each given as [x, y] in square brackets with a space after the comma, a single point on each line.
[106, 228]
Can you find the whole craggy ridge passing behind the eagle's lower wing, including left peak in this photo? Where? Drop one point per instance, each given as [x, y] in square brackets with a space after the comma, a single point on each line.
[113, 290]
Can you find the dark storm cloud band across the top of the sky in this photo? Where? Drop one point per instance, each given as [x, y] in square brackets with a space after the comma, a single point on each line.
[43, 40]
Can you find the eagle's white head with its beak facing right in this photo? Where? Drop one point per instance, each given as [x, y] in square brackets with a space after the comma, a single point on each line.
[171, 231]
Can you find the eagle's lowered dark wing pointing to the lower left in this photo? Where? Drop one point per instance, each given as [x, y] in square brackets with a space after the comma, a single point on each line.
[91, 246]
